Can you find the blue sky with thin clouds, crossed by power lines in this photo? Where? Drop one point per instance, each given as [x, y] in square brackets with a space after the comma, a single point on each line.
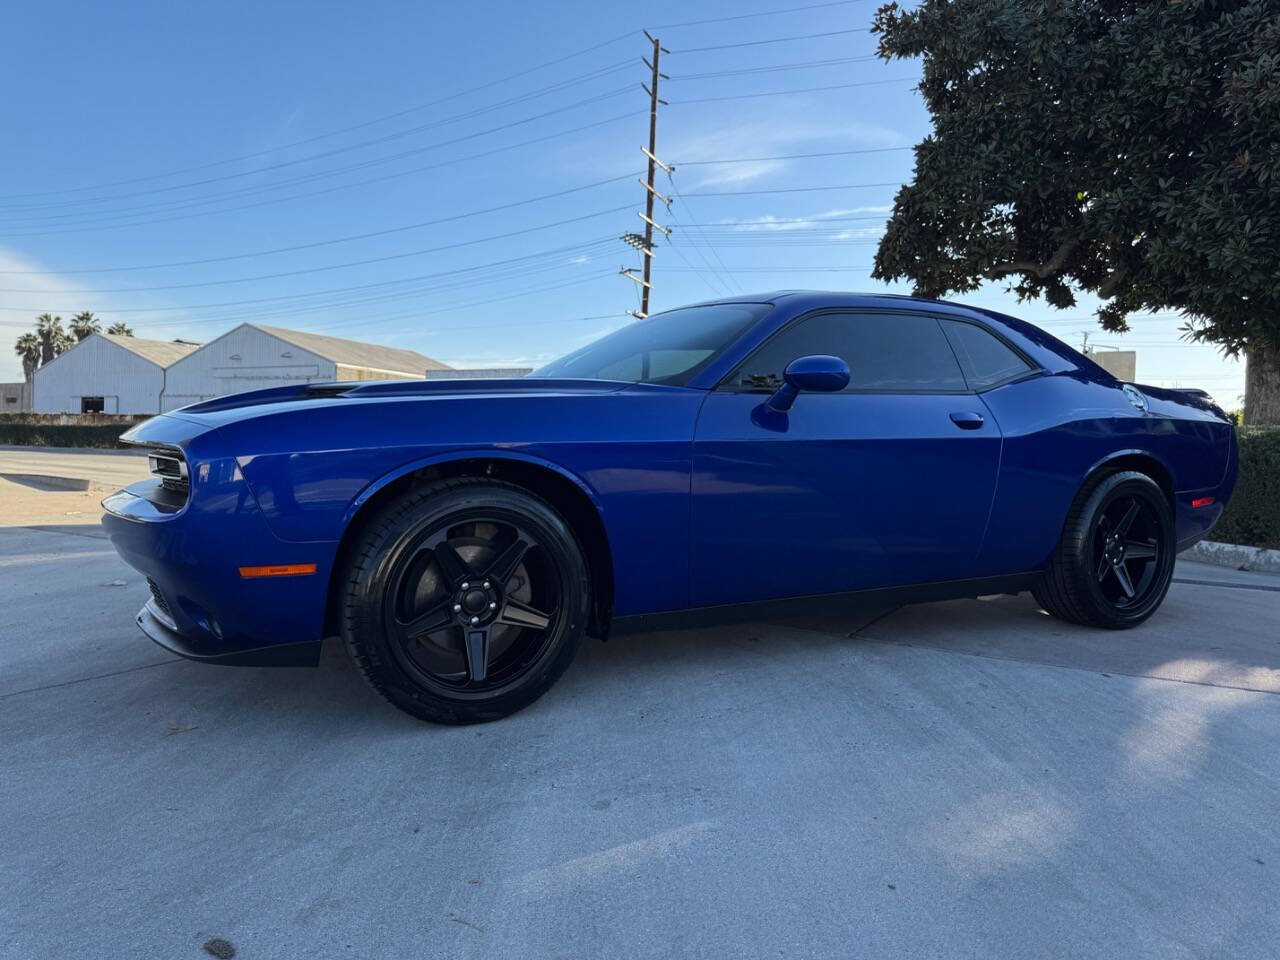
[454, 179]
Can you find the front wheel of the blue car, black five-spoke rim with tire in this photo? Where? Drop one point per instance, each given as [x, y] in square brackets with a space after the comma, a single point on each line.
[465, 601]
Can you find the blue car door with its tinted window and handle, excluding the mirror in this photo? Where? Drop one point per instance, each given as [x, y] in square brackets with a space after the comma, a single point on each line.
[886, 483]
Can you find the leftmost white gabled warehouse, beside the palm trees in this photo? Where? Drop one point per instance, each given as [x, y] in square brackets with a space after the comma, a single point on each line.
[107, 374]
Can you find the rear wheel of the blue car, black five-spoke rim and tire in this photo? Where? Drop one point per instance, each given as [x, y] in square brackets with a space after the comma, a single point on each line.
[1100, 574]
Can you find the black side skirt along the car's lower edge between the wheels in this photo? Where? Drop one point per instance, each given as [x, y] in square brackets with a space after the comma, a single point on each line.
[824, 605]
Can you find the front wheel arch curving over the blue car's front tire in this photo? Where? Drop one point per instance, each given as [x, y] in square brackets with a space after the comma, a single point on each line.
[565, 492]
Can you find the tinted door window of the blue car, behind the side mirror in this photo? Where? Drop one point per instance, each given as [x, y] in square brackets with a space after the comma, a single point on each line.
[902, 353]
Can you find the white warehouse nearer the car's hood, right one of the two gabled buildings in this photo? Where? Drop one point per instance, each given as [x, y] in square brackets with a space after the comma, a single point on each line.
[254, 358]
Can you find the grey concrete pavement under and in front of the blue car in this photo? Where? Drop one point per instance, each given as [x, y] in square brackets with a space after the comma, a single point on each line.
[962, 780]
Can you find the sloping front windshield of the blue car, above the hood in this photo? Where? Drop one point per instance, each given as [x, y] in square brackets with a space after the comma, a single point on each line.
[666, 349]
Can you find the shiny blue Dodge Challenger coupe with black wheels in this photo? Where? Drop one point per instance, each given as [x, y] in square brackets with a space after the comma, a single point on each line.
[742, 459]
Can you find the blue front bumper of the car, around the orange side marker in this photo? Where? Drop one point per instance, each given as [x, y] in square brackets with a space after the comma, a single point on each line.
[202, 607]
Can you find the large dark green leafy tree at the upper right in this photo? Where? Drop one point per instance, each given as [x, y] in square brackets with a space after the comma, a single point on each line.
[1124, 148]
